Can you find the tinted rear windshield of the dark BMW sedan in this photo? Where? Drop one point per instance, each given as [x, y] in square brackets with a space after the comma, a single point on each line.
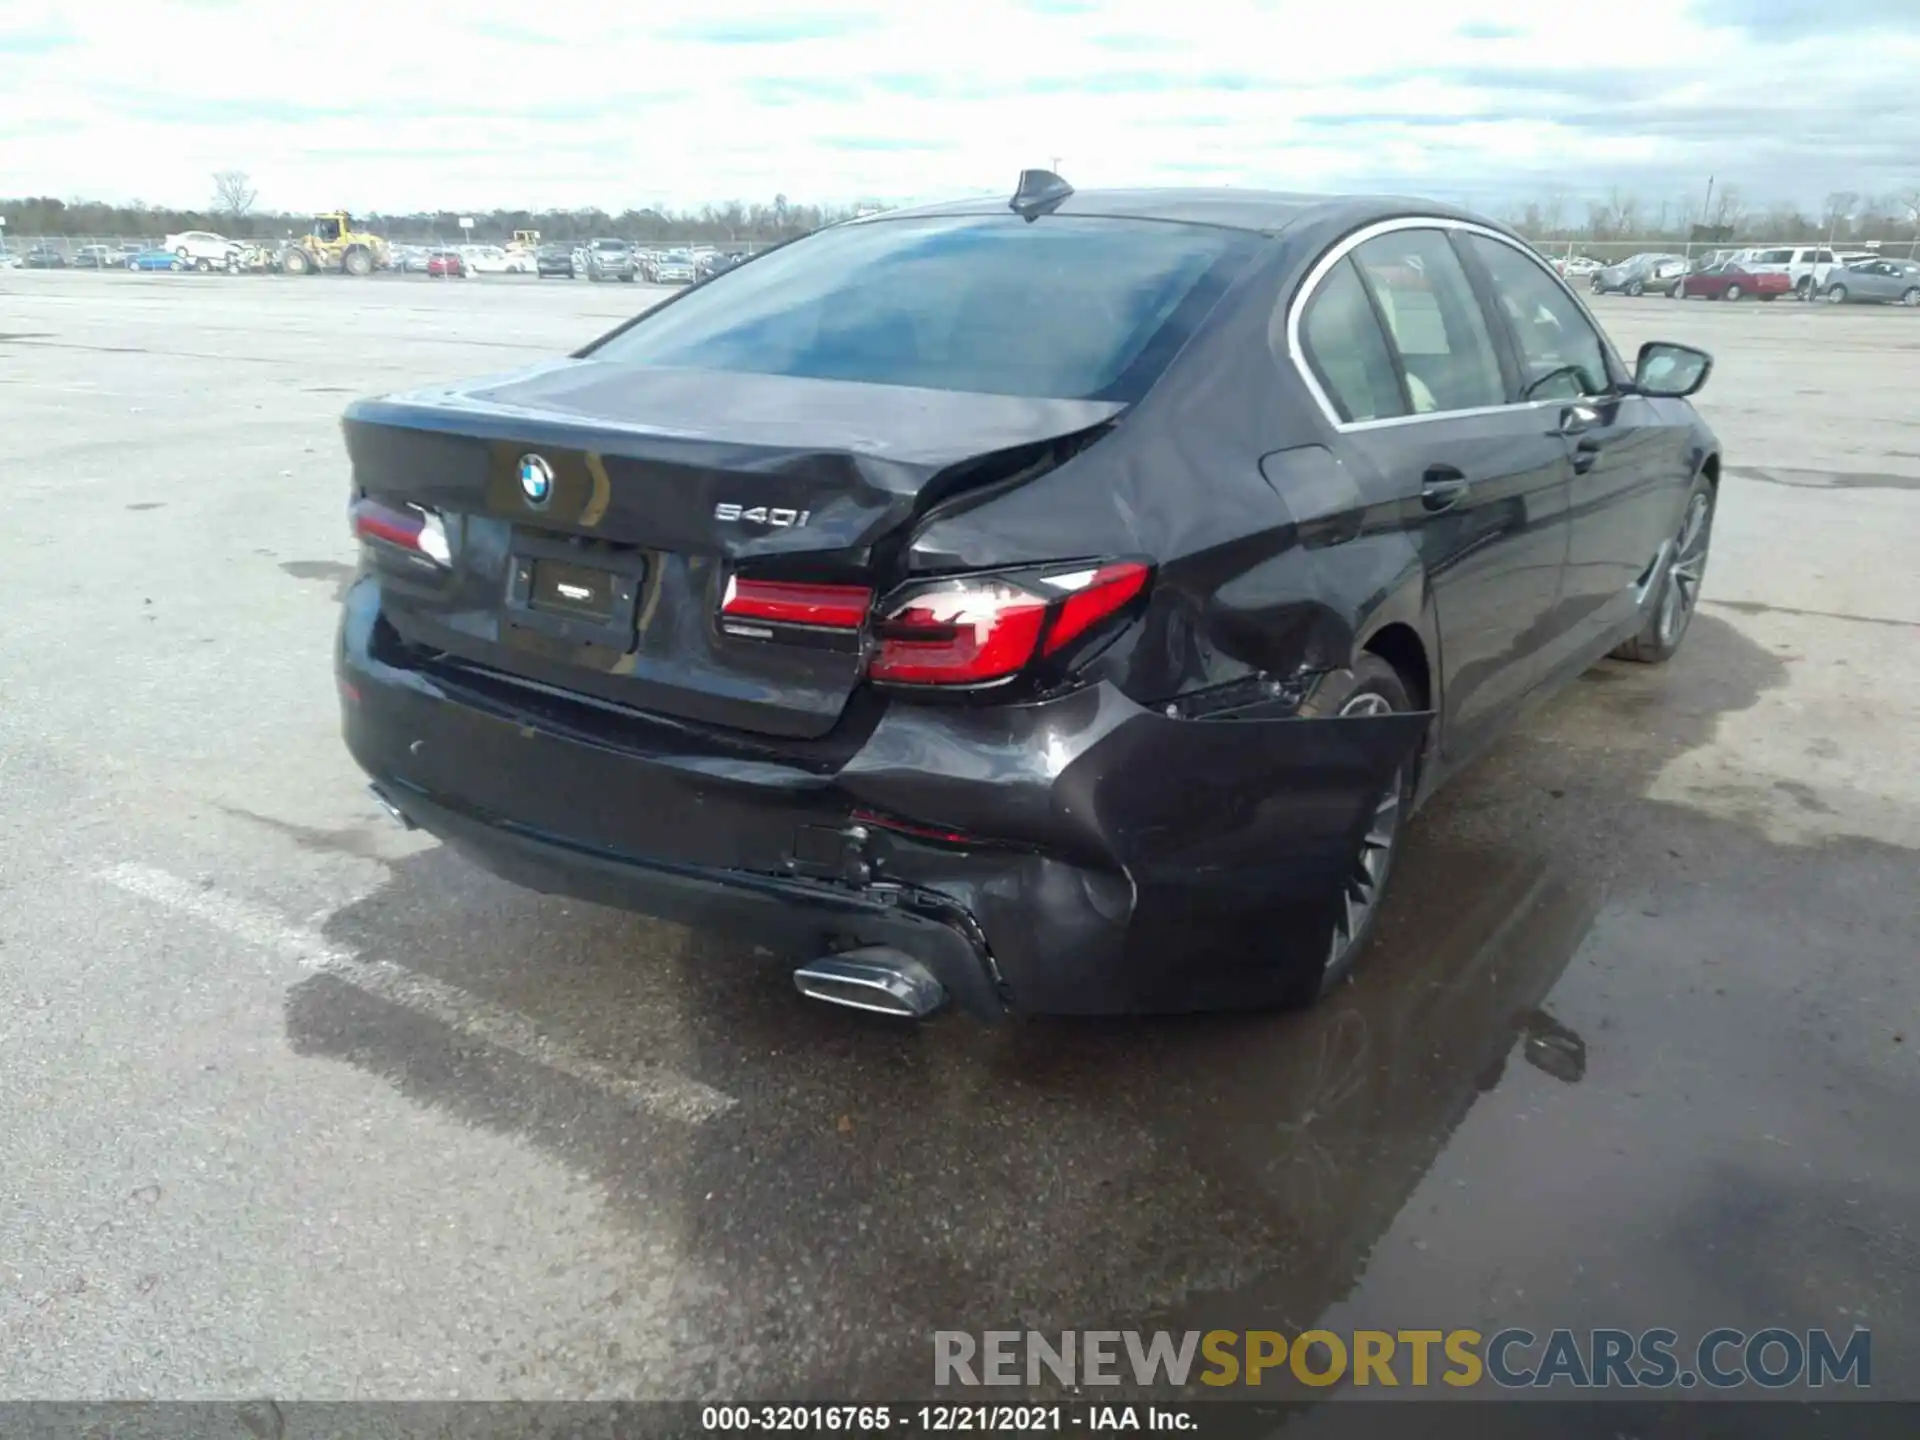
[1067, 308]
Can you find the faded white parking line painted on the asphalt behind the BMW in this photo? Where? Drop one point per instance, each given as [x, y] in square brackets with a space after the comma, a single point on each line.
[654, 1092]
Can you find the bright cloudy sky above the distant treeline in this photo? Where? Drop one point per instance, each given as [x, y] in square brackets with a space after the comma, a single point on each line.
[414, 105]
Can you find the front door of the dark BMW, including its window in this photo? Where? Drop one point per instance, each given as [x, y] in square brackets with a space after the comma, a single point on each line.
[1629, 471]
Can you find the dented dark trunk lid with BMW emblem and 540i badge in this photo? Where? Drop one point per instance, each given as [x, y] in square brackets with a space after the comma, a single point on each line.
[660, 485]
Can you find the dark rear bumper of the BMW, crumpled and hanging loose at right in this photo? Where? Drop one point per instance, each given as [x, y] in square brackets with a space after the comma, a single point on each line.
[1109, 859]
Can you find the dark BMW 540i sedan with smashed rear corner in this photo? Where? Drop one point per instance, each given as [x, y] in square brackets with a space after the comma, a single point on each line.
[1051, 604]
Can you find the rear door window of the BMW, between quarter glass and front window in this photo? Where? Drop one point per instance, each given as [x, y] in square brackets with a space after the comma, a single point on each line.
[1435, 322]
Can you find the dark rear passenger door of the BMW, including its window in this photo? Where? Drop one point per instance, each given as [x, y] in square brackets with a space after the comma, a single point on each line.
[1483, 483]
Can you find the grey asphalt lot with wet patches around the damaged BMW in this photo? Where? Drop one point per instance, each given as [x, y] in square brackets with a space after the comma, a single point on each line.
[299, 1105]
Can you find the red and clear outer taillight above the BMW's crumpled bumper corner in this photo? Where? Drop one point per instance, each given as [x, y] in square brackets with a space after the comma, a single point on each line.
[990, 629]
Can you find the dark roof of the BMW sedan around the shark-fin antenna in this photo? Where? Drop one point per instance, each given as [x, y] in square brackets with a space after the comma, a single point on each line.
[1264, 212]
